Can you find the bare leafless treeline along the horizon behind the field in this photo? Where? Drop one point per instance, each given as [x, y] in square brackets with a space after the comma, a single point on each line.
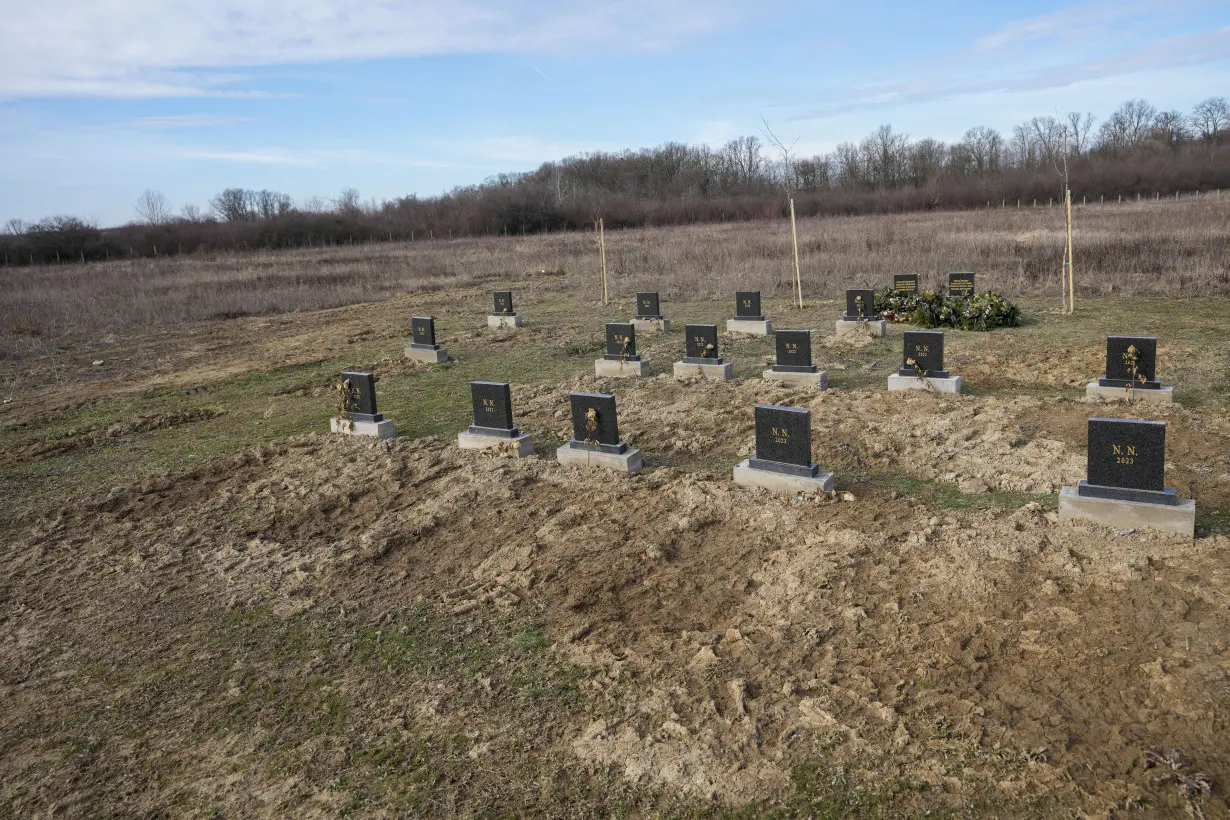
[1137, 151]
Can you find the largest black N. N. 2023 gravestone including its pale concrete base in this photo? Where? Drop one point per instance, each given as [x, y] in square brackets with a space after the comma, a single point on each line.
[1125, 487]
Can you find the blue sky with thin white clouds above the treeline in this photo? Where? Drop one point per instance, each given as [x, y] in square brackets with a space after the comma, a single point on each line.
[104, 99]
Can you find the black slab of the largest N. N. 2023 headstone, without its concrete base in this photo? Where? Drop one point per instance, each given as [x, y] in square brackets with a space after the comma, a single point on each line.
[1127, 462]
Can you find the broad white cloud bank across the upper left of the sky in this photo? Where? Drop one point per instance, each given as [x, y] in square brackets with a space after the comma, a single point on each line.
[170, 49]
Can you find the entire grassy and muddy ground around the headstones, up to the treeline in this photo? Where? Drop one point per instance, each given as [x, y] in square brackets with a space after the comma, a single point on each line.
[210, 608]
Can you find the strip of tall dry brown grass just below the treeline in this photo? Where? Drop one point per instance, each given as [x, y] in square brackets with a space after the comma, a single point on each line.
[1173, 249]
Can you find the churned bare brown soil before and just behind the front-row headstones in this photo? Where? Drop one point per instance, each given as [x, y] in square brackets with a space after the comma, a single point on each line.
[731, 635]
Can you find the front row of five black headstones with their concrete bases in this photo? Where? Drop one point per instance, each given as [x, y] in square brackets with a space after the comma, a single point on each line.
[1126, 458]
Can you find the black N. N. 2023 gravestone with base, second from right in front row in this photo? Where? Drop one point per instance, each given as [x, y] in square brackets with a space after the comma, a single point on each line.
[783, 459]
